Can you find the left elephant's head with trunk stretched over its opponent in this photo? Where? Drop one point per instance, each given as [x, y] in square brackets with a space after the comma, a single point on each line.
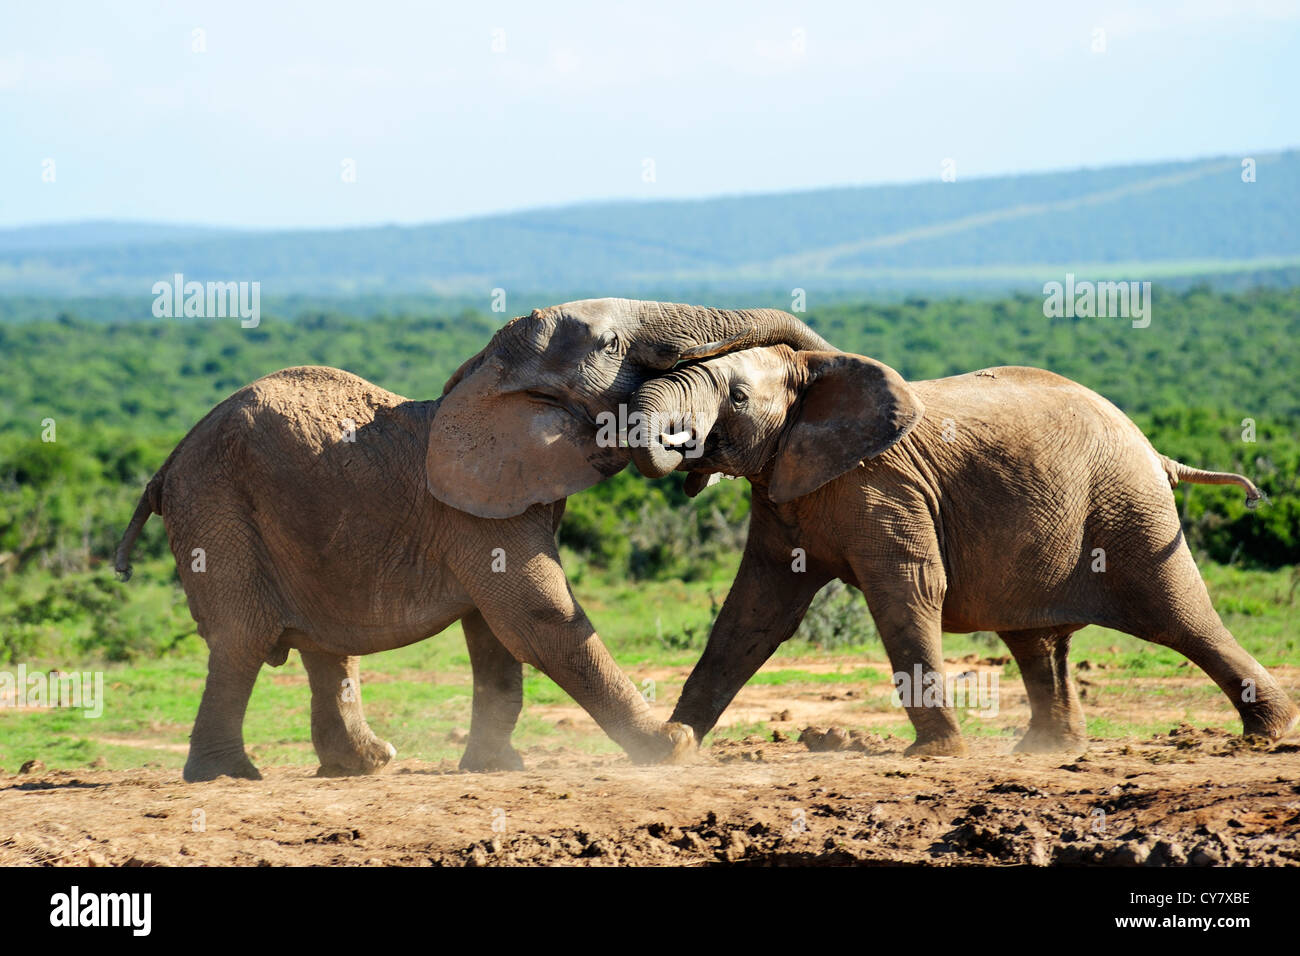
[518, 423]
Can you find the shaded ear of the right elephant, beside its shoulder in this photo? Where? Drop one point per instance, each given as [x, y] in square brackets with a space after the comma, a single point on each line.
[852, 410]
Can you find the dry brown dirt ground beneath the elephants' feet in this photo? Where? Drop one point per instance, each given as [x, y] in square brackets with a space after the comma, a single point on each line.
[1193, 797]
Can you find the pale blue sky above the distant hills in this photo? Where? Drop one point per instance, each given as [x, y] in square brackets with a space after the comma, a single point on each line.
[720, 96]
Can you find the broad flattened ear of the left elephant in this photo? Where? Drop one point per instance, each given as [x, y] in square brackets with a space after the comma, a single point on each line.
[496, 452]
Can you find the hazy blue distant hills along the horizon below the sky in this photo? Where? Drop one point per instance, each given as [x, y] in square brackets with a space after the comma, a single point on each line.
[1160, 223]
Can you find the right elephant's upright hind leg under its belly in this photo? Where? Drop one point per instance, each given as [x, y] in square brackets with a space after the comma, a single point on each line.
[1056, 716]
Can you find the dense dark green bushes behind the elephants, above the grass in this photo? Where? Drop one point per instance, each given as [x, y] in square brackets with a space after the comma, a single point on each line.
[122, 395]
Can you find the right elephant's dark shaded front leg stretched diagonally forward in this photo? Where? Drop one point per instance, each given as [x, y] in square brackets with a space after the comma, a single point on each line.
[764, 609]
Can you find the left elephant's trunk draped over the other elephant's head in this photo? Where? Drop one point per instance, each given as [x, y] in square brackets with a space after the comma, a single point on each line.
[671, 334]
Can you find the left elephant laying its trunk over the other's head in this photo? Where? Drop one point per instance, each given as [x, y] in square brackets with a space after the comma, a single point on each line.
[317, 512]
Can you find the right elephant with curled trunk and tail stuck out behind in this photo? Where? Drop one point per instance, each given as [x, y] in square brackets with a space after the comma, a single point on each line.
[976, 503]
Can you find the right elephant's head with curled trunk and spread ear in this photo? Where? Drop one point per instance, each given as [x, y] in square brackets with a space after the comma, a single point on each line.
[796, 421]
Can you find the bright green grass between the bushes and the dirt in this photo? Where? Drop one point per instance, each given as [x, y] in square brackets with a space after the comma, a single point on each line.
[418, 697]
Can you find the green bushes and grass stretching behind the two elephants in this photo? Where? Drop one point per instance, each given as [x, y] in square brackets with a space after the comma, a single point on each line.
[651, 565]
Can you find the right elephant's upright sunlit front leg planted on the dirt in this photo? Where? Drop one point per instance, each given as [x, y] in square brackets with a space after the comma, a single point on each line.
[911, 626]
